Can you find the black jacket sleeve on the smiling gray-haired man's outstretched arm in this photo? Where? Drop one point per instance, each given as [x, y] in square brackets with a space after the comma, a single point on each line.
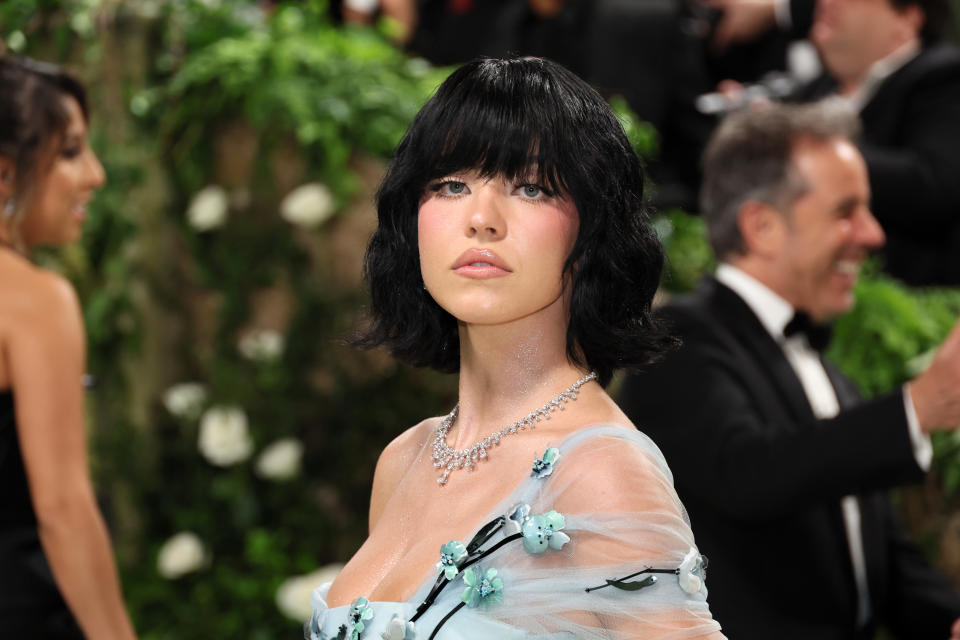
[728, 445]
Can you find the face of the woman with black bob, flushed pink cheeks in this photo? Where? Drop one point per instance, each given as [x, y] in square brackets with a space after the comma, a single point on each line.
[492, 251]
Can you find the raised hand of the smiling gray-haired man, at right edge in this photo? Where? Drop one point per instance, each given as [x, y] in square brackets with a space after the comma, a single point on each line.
[936, 393]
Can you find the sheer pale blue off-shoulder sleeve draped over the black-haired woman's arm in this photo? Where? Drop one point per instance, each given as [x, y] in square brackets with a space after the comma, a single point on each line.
[617, 514]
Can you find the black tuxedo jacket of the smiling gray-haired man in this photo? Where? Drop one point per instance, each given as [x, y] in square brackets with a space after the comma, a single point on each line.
[762, 480]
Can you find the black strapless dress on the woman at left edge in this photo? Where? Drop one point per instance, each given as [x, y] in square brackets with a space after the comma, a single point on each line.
[31, 607]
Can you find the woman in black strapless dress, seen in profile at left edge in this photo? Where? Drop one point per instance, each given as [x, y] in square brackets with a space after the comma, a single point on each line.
[57, 574]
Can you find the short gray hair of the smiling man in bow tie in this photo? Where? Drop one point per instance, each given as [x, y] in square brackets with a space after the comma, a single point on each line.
[750, 157]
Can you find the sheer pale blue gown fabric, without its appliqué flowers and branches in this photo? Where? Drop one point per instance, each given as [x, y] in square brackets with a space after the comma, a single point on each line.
[622, 515]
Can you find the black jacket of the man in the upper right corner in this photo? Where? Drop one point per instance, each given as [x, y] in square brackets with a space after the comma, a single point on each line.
[911, 142]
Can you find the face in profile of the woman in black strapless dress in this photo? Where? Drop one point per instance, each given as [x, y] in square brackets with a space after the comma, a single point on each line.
[65, 184]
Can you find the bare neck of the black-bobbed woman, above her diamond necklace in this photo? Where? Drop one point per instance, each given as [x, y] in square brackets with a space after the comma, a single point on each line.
[506, 372]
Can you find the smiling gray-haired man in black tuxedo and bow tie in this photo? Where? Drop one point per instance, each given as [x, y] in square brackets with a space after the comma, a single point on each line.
[780, 465]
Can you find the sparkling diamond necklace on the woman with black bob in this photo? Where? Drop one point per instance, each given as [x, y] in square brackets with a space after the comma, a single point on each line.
[449, 458]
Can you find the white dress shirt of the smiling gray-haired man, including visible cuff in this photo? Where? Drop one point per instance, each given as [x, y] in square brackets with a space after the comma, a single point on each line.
[774, 313]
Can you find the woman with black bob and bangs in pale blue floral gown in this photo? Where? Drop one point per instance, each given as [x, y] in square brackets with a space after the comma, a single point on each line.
[513, 248]
